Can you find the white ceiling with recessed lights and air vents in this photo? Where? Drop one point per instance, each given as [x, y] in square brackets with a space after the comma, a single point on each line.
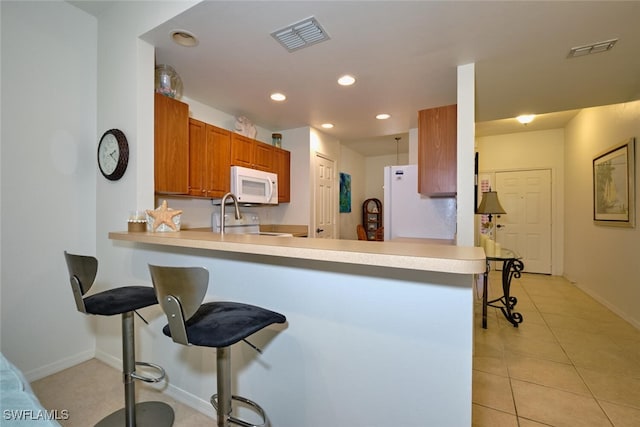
[404, 56]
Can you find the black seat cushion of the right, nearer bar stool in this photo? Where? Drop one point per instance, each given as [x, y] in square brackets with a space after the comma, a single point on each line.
[221, 324]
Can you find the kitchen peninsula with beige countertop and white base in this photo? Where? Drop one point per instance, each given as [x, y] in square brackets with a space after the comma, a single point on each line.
[378, 333]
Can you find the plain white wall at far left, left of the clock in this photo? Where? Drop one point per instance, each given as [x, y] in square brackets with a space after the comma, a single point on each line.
[49, 139]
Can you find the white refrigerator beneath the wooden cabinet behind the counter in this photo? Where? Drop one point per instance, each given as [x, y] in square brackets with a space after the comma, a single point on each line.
[407, 213]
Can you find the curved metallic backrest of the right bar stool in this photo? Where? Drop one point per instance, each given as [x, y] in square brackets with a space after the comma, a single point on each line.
[180, 292]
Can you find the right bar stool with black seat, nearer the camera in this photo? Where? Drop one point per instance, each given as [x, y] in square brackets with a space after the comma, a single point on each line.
[181, 291]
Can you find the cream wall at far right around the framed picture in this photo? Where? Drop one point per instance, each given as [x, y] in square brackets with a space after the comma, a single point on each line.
[601, 260]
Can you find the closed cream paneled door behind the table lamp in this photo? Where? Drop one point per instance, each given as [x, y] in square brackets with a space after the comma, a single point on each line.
[526, 227]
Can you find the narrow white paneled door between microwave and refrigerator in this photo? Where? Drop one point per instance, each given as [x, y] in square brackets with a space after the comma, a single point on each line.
[325, 197]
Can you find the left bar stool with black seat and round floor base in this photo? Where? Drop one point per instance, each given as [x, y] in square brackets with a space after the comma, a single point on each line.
[124, 300]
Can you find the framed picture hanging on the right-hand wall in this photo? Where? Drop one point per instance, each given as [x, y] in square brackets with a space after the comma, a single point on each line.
[614, 186]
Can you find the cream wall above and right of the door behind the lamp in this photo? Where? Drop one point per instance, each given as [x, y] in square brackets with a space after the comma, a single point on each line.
[527, 151]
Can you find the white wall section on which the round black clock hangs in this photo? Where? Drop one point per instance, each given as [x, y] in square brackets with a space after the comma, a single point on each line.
[125, 100]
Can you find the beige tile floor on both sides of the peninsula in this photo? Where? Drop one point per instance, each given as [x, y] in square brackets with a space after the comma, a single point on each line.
[572, 362]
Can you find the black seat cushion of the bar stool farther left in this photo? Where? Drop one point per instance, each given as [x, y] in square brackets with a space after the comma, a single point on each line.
[120, 300]
